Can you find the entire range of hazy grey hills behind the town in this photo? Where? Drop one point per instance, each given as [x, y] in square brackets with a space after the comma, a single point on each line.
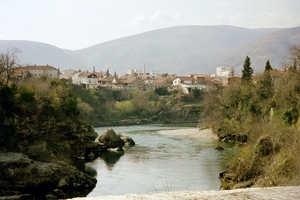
[181, 50]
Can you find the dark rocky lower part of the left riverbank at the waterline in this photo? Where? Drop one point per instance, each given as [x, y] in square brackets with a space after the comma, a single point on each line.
[47, 167]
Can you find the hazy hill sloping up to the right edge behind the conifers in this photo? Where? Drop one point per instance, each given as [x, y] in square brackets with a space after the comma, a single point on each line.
[273, 46]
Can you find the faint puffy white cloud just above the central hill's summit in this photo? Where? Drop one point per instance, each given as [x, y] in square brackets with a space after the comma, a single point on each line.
[158, 19]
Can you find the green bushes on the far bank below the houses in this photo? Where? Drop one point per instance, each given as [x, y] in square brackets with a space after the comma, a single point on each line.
[123, 107]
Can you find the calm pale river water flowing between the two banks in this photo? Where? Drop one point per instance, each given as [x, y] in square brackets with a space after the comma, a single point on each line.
[157, 163]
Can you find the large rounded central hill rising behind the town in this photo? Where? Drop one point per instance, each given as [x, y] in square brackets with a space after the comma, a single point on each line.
[181, 50]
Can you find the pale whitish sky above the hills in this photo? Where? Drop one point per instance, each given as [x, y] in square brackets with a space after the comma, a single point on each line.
[77, 24]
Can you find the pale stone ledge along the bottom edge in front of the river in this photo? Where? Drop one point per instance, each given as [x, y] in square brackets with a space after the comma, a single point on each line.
[278, 193]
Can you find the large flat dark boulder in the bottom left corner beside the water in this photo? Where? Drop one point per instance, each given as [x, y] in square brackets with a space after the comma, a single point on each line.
[20, 173]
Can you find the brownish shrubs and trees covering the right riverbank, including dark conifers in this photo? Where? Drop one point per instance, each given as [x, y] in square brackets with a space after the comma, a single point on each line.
[262, 113]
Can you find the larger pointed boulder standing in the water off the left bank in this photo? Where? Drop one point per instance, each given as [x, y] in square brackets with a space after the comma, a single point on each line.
[111, 139]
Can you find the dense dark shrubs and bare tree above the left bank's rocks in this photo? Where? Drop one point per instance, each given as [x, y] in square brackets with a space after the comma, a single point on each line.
[31, 109]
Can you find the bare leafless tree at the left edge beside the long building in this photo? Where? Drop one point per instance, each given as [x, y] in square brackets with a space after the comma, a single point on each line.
[8, 63]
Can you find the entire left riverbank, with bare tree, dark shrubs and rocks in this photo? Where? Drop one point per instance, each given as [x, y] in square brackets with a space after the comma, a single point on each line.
[41, 136]
